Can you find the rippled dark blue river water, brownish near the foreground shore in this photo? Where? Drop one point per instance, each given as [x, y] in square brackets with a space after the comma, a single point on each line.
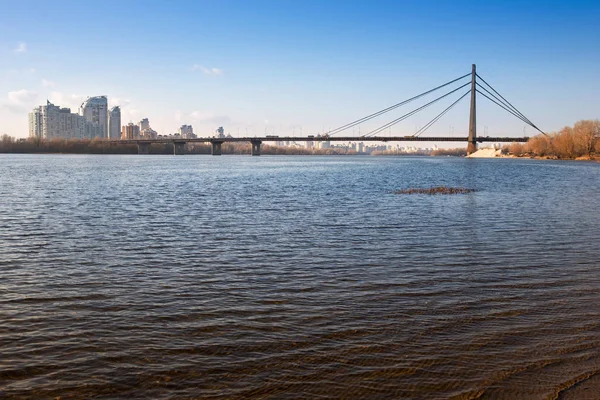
[297, 277]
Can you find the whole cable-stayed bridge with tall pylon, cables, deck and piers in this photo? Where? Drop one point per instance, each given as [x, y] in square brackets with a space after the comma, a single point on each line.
[475, 85]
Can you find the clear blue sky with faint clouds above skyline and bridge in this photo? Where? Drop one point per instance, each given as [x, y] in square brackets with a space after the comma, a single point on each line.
[299, 66]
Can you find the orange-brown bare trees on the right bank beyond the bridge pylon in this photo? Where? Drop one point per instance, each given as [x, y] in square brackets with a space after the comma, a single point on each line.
[582, 141]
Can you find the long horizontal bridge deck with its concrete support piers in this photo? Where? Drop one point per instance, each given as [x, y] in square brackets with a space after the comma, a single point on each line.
[179, 143]
